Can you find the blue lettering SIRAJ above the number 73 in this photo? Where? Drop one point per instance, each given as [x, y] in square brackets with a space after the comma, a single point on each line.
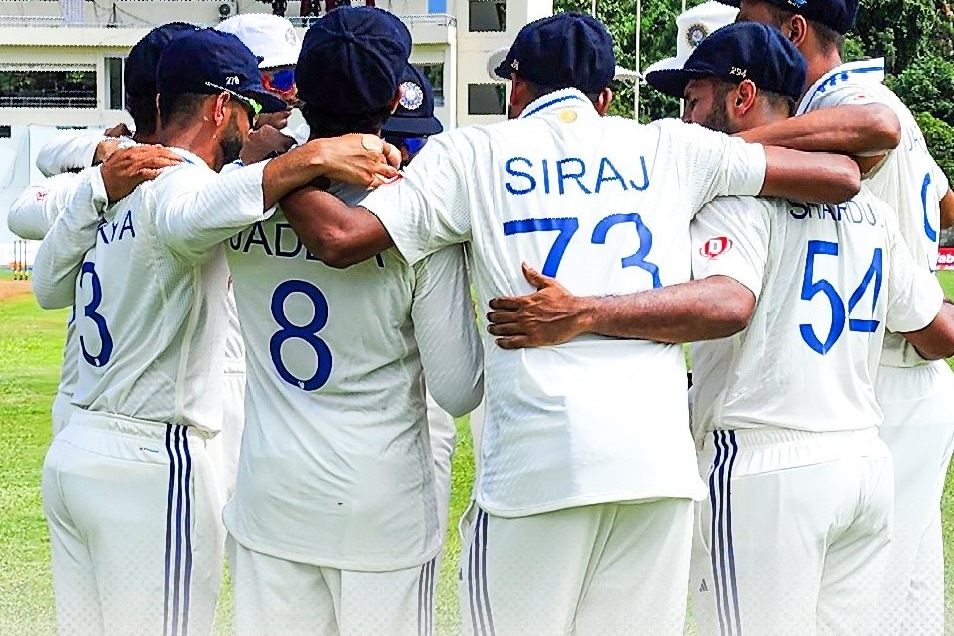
[571, 174]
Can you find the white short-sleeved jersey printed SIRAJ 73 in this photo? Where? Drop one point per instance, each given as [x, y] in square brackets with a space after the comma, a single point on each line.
[604, 205]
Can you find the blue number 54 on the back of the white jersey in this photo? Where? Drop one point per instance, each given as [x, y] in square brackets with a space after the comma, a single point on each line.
[811, 288]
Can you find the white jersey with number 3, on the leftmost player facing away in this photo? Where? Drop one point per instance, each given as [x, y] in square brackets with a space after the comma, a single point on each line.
[150, 296]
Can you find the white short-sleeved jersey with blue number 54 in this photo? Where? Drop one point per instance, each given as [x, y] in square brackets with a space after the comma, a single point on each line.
[828, 280]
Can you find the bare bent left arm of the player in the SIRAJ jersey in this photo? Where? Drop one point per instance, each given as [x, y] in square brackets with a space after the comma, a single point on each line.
[335, 233]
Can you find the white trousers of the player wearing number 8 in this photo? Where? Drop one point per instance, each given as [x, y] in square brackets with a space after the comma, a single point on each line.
[277, 597]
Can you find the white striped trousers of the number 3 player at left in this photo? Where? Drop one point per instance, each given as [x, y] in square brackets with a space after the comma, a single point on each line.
[135, 530]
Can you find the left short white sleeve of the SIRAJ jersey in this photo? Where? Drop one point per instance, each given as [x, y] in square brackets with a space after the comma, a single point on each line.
[428, 206]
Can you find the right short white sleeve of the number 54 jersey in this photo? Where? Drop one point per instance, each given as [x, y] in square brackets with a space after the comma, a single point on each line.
[914, 293]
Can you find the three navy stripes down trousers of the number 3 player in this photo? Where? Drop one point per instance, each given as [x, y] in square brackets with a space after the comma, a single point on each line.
[178, 554]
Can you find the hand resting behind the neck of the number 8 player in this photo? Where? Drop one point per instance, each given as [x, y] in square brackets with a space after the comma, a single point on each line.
[358, 159]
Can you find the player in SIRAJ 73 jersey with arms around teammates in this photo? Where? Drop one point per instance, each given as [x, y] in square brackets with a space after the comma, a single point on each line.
[572, 499]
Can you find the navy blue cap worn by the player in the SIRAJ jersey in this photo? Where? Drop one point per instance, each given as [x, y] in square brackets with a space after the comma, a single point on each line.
[567, 50]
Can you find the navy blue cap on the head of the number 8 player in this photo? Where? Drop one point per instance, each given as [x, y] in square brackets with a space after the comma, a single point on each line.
[352, 60]
